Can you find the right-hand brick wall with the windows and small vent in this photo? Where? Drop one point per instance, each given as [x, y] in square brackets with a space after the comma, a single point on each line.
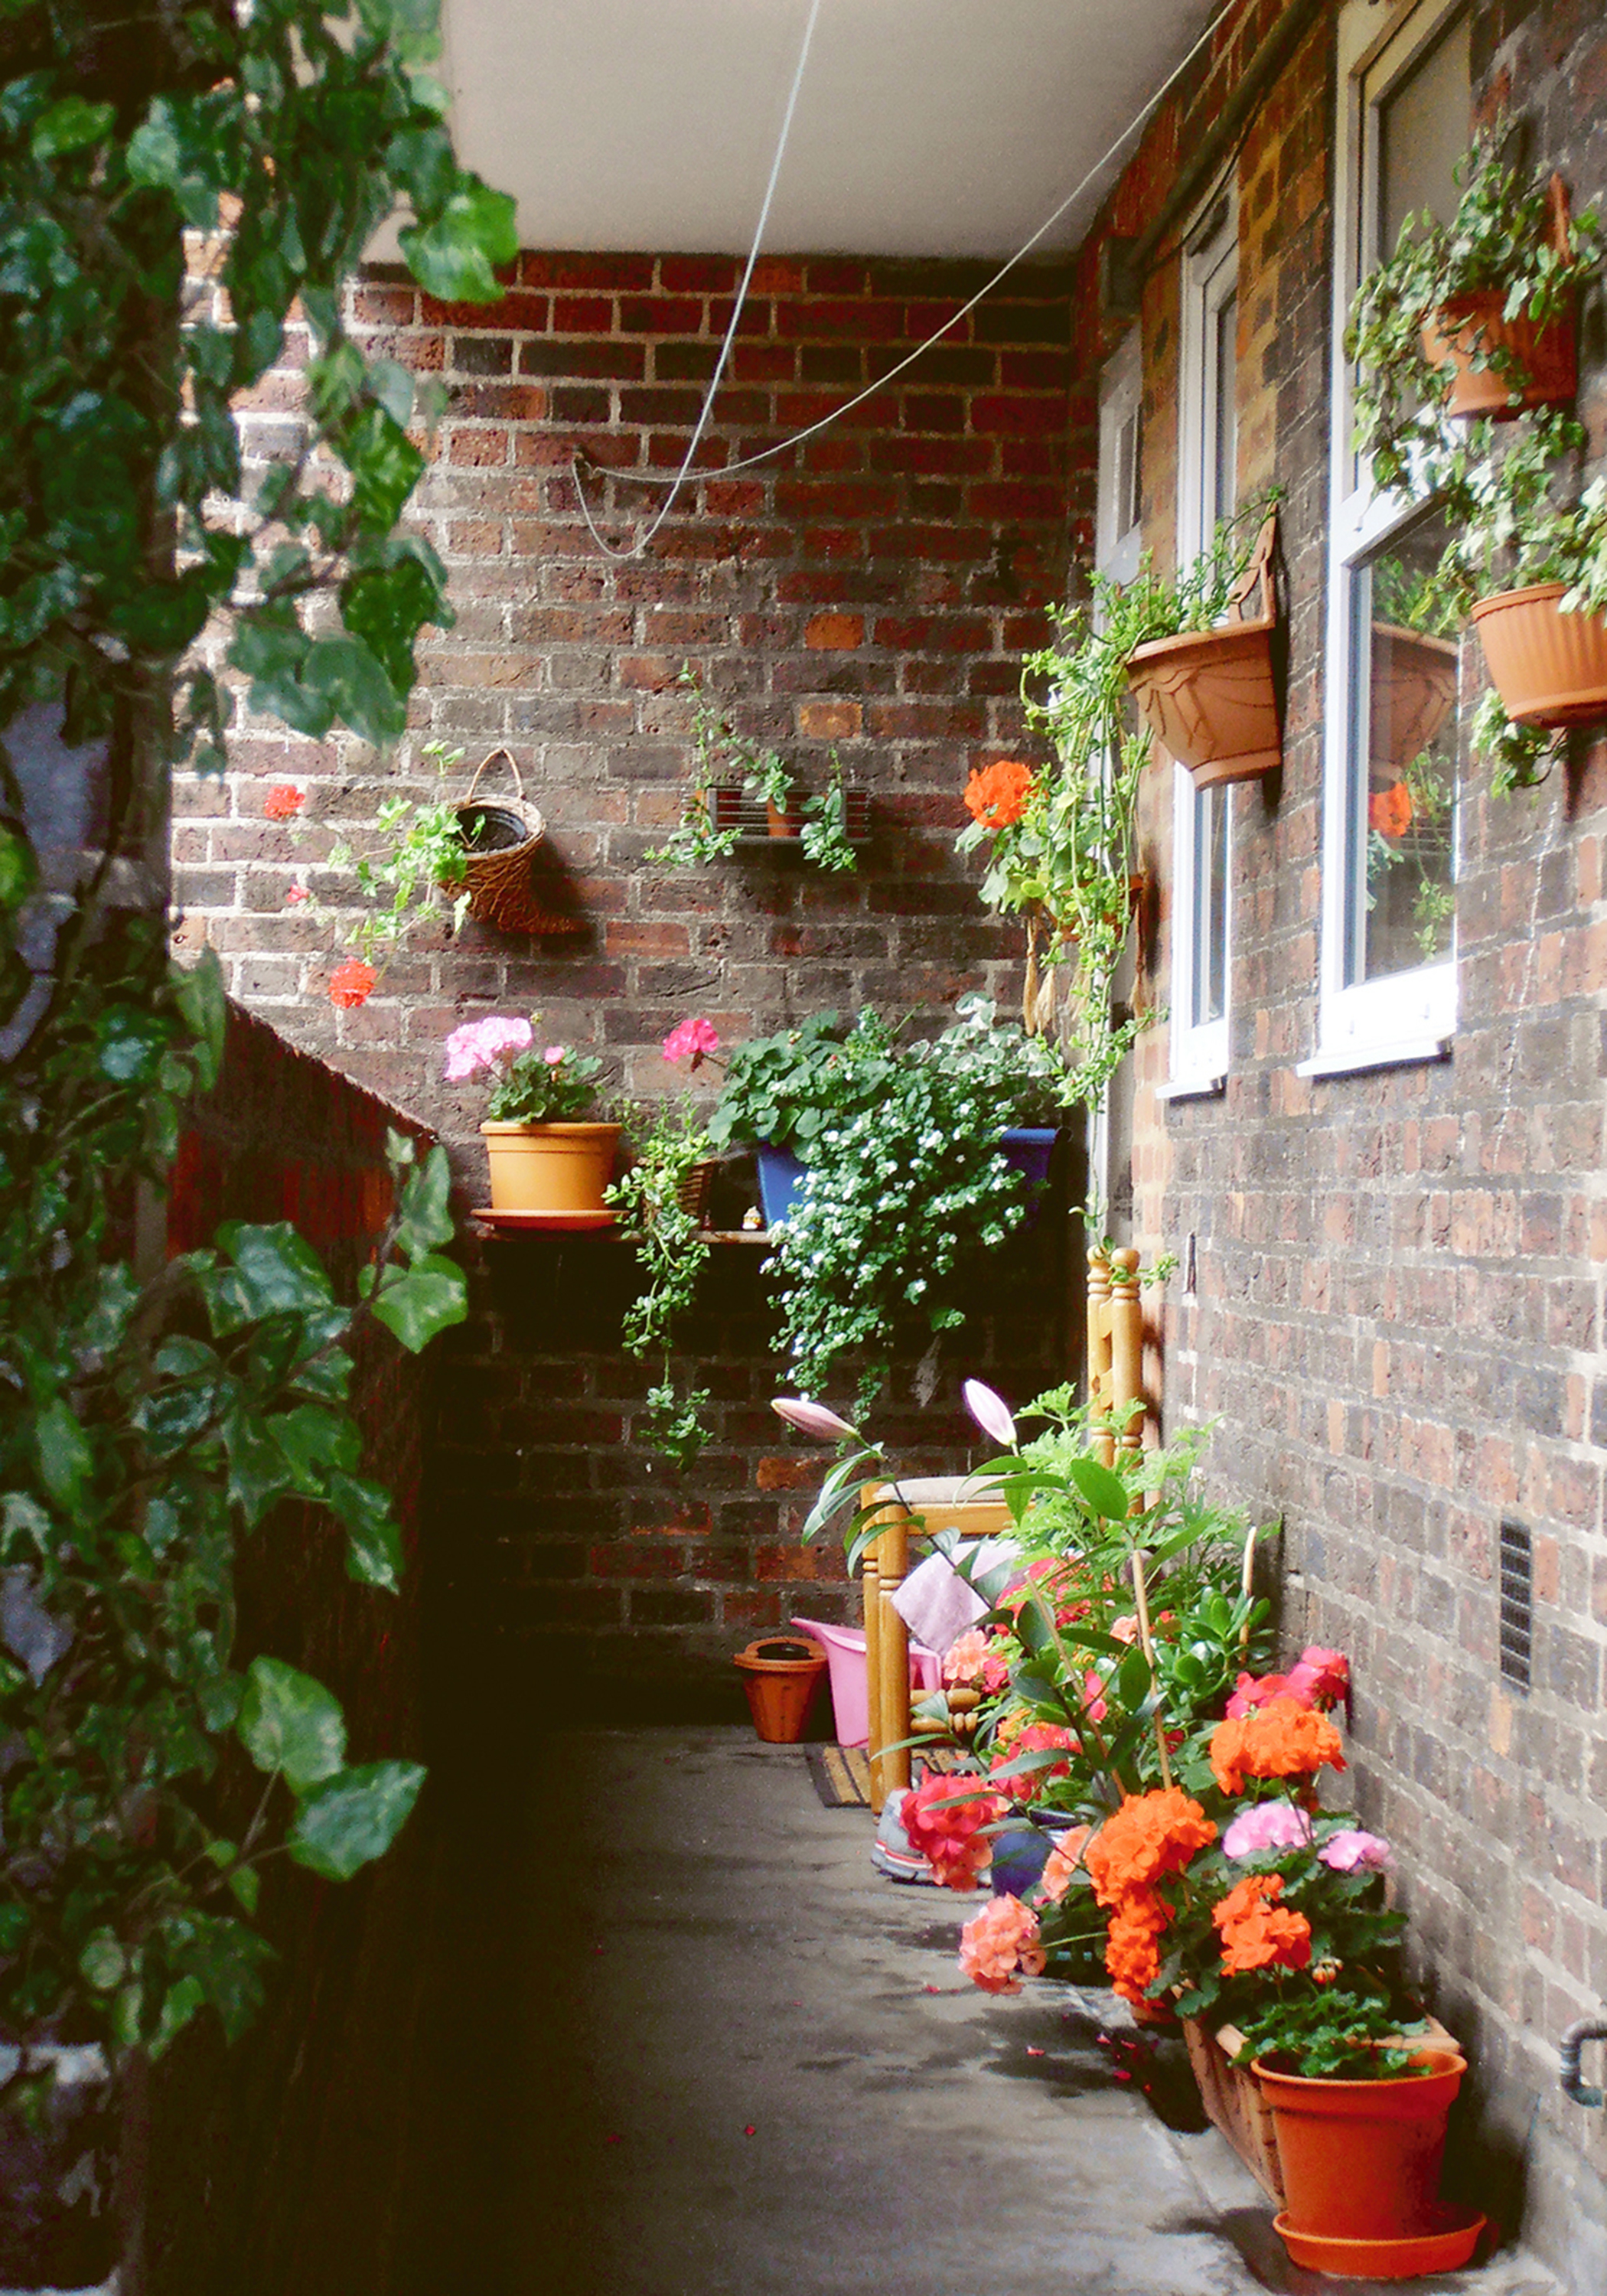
[1402, 1273]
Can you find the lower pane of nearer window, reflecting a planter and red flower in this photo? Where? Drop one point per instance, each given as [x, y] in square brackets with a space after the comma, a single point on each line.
[1404, 777]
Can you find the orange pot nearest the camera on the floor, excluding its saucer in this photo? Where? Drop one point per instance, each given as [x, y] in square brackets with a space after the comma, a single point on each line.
[1363, 2157]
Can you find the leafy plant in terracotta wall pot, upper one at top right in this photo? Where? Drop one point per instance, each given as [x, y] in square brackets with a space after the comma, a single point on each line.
[1470, 318]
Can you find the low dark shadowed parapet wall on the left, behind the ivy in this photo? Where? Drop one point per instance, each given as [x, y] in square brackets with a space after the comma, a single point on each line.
[313, 2102]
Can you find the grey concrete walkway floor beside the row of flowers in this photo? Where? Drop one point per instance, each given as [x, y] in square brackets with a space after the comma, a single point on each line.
[690, 2042]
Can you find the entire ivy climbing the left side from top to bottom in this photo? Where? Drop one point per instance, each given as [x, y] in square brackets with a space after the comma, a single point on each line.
[155, 1420]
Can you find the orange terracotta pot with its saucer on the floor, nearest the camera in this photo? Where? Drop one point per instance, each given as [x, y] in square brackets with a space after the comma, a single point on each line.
[1360, 2166]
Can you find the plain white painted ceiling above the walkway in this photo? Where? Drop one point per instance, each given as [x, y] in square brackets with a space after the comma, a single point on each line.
[924, 127]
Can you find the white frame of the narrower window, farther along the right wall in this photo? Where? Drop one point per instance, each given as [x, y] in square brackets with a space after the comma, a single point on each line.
[1211, 274]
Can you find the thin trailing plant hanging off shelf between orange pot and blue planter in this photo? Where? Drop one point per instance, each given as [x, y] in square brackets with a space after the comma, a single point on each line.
[671, 1252]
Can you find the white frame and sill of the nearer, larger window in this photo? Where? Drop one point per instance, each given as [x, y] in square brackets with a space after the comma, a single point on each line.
[1408, 1016]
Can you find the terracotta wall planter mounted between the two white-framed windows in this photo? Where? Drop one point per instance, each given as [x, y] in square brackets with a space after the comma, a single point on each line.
[1211, 697]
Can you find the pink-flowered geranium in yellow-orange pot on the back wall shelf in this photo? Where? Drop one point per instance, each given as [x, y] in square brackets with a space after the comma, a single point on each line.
[548, 1158]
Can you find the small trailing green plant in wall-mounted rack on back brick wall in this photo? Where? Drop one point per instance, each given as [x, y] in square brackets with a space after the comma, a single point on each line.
[736, 775]
